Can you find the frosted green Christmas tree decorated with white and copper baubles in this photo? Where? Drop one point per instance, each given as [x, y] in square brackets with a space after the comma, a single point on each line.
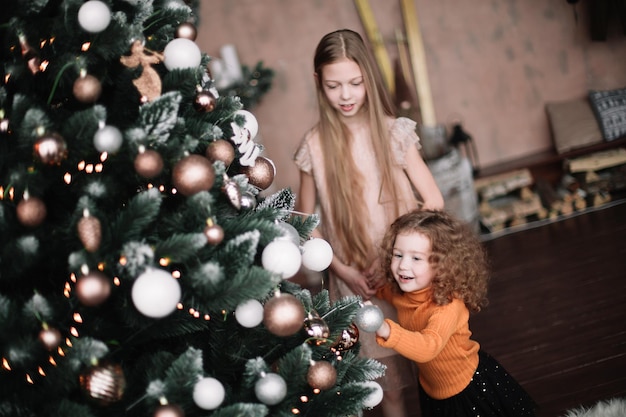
[141, 271]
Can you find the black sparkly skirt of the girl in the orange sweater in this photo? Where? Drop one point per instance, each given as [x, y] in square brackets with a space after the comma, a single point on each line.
[492, 392]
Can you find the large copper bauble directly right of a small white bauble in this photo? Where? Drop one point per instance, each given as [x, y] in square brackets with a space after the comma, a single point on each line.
[283, 315]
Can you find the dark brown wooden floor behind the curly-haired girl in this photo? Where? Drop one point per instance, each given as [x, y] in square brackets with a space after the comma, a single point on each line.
[557, 314]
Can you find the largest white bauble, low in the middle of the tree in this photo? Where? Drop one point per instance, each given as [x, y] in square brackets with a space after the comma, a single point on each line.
[156, 293]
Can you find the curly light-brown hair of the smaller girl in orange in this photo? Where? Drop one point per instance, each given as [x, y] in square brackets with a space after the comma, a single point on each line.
[458, 258]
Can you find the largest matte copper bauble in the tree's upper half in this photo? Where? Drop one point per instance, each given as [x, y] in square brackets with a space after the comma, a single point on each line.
[192, 174]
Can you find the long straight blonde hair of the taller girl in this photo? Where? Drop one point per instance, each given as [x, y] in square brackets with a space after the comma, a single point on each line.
[348, 210]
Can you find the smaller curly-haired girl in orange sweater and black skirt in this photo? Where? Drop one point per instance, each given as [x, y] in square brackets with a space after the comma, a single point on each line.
[437, 272]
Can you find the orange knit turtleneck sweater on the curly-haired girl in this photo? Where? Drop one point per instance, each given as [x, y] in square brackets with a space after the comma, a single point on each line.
[436, 337]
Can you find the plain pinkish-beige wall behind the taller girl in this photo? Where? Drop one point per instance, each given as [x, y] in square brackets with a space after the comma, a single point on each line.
[491, 66]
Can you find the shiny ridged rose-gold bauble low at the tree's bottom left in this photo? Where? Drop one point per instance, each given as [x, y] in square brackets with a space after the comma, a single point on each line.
[105, 384]
